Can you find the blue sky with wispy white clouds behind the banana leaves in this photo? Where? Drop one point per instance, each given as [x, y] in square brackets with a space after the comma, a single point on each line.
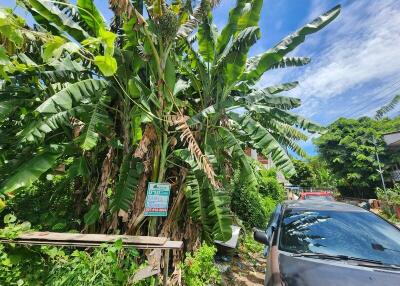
[355, 65]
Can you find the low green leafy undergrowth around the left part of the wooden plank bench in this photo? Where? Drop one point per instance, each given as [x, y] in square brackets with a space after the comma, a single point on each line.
[107, 265]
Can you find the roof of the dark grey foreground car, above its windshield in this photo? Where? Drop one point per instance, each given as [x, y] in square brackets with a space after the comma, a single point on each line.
[321, 205]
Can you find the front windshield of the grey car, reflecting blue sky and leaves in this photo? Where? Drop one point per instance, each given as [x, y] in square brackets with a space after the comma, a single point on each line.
[354, 234]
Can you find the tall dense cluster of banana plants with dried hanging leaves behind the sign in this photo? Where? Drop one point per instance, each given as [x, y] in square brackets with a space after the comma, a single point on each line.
[163, 98]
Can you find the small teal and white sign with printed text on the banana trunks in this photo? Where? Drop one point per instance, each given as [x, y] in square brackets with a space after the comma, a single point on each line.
[157, 199]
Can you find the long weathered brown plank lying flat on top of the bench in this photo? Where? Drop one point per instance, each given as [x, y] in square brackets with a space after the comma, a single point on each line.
[96, 238]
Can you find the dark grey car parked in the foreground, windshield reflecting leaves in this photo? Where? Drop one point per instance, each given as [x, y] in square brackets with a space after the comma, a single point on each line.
[329, 243]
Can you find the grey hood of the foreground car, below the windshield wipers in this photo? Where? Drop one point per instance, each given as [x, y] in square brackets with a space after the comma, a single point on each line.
[302, 271]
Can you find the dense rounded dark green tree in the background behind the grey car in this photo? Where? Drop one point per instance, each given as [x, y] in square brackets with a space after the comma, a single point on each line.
[348, 150]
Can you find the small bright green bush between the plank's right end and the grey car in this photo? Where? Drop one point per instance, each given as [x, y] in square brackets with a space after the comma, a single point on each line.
[199, 269]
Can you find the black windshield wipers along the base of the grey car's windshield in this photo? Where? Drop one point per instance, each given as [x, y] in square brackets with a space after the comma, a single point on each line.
[364, 261]
